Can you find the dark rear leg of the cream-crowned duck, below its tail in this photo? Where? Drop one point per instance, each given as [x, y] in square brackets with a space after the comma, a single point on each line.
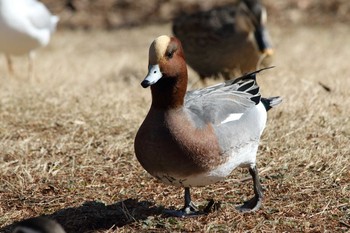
[254, 203]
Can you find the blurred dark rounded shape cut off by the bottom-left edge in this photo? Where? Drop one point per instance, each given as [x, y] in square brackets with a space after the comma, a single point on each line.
[38, 225]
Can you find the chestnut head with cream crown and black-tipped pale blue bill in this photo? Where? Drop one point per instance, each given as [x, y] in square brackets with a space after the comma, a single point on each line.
[166, 62]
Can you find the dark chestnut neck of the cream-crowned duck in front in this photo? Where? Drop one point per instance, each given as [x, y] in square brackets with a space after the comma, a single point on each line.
[169, 92]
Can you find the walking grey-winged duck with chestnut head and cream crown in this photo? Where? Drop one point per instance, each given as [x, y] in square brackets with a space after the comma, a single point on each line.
[197, 138]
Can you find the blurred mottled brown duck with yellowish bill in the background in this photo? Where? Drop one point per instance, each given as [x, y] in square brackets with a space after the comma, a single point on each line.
[225, 41]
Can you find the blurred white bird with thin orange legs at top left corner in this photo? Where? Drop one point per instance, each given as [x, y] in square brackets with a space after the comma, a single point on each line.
[25, 25]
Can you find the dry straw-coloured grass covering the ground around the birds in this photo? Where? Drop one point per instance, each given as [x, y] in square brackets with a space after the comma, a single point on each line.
[66, 139]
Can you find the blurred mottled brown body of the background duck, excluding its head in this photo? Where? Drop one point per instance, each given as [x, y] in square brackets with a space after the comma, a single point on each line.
[218, 41]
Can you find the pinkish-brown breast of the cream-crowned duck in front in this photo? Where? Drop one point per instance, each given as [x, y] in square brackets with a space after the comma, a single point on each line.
[170, 147]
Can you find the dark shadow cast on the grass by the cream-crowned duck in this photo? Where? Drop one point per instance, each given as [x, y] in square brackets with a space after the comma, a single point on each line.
[94, 215]
